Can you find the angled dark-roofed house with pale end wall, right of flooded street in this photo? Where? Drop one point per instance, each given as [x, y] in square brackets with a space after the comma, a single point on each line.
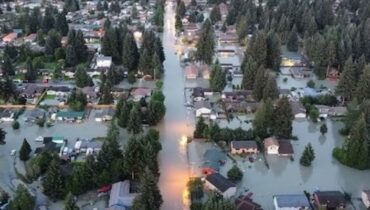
[220, 184]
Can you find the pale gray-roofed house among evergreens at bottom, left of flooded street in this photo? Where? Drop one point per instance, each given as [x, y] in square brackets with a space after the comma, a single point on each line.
[121, 196]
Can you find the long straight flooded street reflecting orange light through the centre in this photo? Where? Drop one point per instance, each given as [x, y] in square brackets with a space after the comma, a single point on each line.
[176, 125]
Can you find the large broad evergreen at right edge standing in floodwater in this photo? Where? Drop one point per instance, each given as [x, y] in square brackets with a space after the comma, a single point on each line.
[356, 146]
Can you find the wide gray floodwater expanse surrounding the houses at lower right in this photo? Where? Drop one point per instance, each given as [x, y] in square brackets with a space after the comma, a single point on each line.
[289, 177]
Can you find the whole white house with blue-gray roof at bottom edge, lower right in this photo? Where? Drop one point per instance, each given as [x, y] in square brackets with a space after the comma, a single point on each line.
[291, 202]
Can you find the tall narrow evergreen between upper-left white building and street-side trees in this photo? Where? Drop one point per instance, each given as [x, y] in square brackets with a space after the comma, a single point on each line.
[130, 53]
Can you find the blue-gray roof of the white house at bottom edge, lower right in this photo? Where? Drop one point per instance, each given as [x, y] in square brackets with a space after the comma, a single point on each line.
[296, 200]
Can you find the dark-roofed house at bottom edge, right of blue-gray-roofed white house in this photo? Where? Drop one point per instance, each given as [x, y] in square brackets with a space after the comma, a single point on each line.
[329, 200]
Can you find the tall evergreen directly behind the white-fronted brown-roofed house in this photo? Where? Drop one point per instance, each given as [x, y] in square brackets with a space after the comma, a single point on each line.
[282, 119]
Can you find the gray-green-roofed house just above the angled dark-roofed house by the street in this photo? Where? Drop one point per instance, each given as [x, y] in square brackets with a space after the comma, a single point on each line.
[212, 160]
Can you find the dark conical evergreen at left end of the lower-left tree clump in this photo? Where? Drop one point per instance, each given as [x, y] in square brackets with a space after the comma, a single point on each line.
[53, 182]
